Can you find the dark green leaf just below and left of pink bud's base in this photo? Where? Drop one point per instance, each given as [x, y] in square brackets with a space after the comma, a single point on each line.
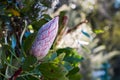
[29, 62]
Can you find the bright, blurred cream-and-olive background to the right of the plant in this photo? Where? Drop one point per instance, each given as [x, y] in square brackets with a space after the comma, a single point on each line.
[100, 44]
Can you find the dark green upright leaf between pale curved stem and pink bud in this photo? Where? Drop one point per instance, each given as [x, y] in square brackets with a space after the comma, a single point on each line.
[28, 42]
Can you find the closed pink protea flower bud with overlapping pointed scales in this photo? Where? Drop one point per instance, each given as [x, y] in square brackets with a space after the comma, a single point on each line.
[45, 38]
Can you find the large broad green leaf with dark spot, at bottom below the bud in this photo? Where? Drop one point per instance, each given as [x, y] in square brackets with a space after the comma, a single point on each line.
[53, 71]
